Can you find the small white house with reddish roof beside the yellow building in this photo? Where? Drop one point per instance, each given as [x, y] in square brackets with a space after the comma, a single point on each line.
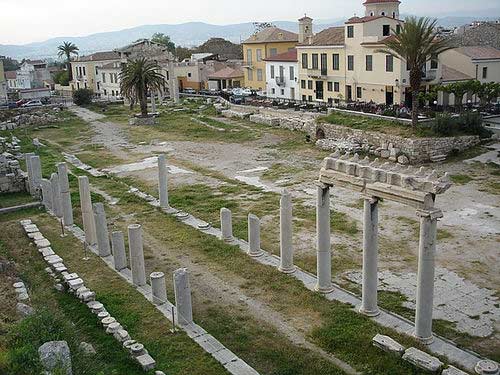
[282, 76]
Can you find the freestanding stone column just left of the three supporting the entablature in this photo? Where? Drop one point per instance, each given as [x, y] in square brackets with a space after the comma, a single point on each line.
[286, 233]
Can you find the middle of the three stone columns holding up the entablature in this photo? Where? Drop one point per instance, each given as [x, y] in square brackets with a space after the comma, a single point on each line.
[370, 258]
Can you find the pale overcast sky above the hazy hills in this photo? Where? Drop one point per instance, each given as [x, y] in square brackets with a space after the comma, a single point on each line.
[25, 21]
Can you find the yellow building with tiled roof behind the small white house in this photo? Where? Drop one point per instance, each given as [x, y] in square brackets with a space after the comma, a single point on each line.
[266, 43]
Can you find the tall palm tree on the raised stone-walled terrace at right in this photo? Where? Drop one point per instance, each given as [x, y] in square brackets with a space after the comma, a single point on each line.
[416, 43]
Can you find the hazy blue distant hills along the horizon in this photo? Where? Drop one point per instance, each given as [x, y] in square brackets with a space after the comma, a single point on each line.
[186, 34]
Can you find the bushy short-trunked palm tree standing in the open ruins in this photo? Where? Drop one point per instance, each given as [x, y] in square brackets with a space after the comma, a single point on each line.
[137, 78]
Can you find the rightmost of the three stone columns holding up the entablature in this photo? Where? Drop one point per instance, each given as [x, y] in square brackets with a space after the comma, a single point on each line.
[425, 278]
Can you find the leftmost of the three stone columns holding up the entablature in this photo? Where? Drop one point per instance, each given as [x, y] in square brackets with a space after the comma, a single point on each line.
[323, 246]
